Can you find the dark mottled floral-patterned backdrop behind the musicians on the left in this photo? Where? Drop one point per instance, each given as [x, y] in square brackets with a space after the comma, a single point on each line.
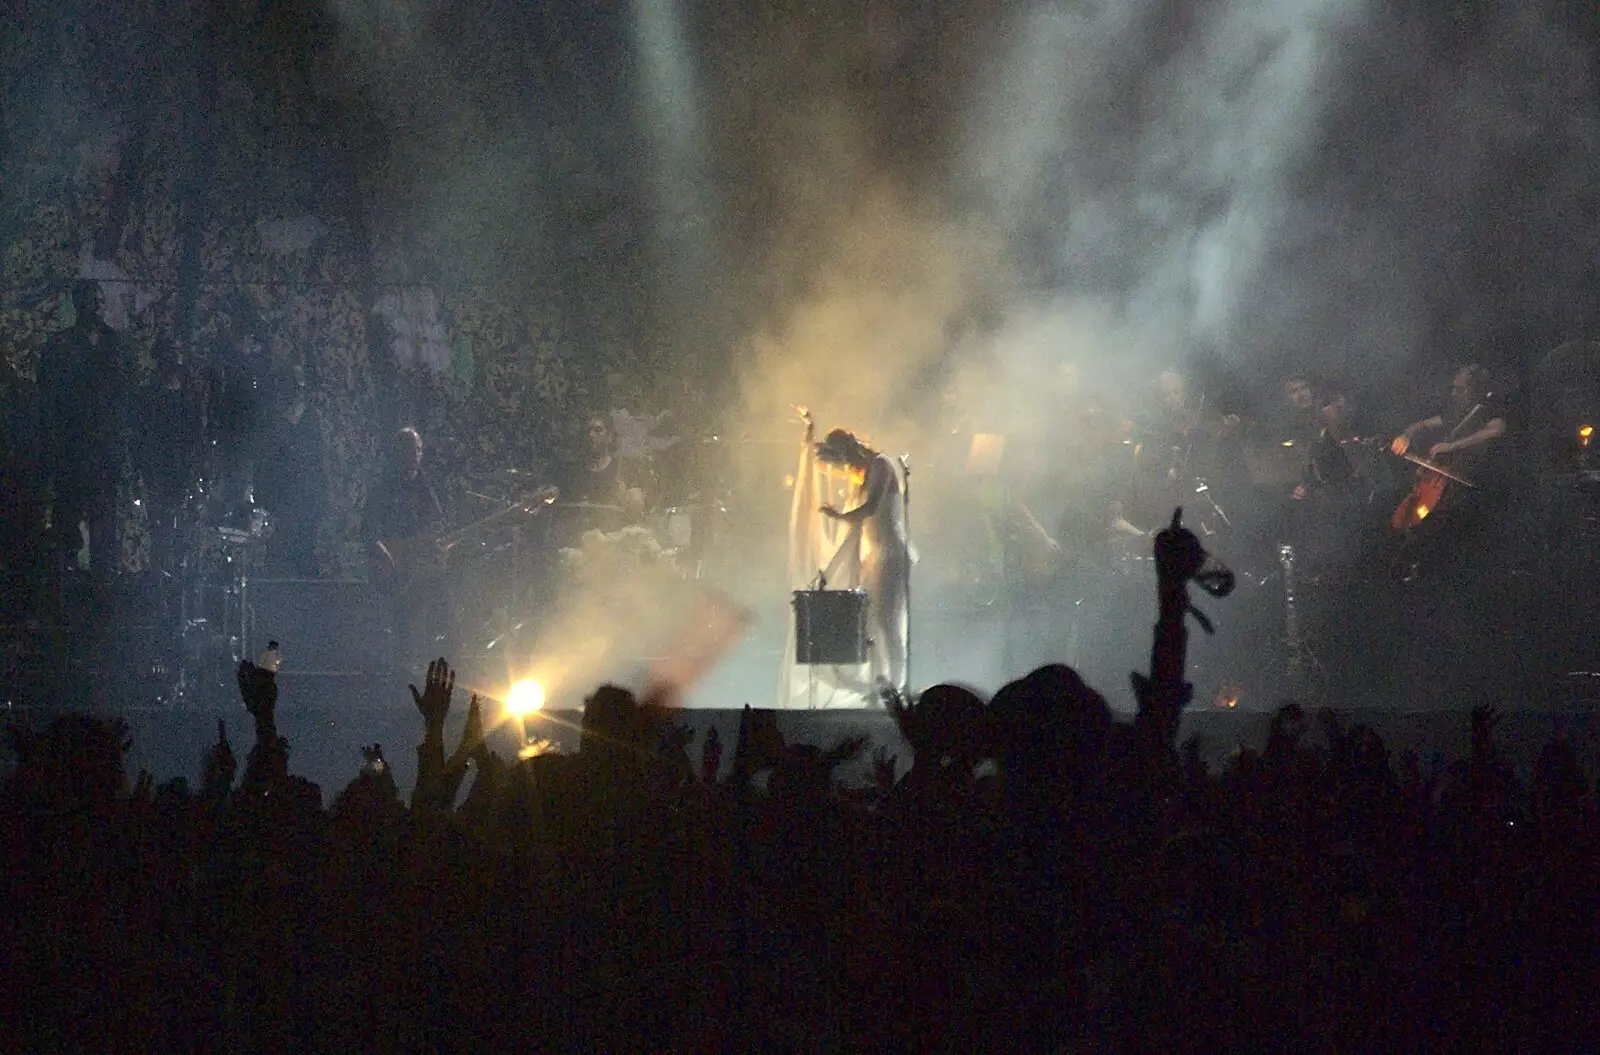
[247, 241]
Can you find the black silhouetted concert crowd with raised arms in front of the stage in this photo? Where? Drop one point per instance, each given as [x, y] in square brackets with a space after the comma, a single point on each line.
[1031, 876]
